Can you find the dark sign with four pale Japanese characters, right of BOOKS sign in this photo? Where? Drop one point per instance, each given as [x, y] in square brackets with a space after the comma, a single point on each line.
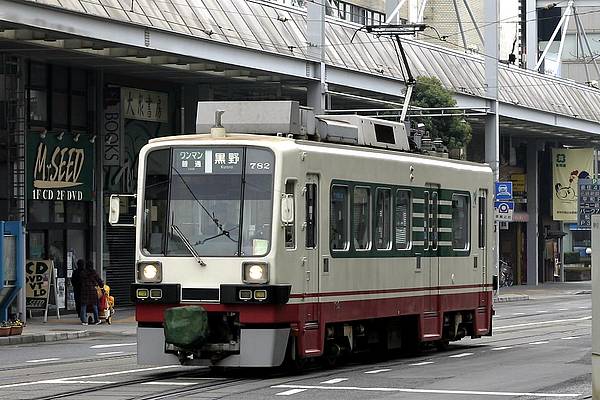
[145, 105]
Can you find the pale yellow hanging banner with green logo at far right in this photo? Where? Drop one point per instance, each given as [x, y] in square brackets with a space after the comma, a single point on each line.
[568, 166]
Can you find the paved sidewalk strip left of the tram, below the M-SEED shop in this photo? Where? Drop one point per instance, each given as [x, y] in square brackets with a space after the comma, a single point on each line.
[69, 327]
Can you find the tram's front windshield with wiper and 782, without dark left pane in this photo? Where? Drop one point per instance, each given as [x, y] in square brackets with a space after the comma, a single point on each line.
[220, 201]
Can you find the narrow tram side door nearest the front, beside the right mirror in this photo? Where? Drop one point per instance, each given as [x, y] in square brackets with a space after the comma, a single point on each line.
[311, 246]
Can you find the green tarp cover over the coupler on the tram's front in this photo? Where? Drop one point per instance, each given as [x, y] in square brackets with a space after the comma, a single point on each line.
[186, 326]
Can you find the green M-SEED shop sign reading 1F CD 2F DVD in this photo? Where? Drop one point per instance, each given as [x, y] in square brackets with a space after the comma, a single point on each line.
[59, 168]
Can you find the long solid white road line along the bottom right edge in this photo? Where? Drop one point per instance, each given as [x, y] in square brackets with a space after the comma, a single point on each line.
[432, 391]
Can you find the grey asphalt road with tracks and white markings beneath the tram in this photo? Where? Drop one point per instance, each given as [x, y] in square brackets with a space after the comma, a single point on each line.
[541, 349]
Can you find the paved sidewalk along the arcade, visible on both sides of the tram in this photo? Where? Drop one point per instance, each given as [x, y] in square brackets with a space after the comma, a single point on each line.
[123, 323]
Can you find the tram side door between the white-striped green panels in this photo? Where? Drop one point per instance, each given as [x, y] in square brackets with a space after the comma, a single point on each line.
[431, 252]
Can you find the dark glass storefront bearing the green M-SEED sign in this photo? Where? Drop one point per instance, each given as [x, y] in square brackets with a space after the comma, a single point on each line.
[60, 168]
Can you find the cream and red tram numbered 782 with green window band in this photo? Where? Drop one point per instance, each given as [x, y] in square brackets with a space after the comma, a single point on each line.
[283, 237]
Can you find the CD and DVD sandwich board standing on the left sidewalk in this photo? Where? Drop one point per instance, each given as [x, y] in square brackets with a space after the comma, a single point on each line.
[37, 283]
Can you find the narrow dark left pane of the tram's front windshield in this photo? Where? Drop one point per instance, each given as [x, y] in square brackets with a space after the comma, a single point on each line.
[156, 195]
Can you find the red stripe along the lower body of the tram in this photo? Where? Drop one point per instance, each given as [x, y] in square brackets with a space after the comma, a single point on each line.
[309, 318]
